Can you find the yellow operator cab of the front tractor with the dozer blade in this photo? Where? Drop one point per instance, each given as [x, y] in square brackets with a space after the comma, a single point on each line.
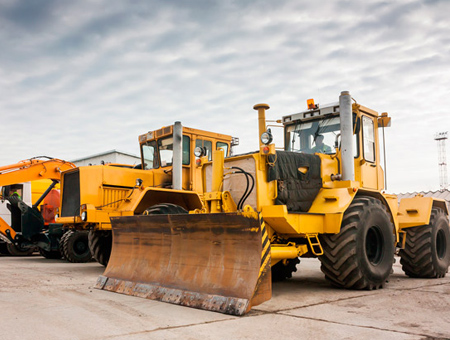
[305, 131]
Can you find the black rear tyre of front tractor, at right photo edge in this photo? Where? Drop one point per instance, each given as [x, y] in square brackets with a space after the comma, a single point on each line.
[427, 248]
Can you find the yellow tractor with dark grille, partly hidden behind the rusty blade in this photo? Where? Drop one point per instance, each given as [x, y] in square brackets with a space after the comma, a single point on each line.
[168, 173]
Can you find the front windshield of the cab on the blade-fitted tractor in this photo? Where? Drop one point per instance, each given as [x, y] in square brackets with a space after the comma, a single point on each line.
[318, 136]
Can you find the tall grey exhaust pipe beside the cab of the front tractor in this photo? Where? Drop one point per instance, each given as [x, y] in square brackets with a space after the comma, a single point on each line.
[348, 163]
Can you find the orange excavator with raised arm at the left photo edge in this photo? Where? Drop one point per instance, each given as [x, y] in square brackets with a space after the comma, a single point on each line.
[31, 227]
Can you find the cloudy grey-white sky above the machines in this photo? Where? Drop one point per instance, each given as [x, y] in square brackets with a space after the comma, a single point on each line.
[83, 77]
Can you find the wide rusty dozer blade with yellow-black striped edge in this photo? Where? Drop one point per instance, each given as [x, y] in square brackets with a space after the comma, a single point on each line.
[218, 262]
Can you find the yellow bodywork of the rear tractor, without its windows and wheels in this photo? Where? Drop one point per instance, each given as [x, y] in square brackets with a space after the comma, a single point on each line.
[119, 190]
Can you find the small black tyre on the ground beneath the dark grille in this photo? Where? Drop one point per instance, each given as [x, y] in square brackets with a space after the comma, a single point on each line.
[74, 246]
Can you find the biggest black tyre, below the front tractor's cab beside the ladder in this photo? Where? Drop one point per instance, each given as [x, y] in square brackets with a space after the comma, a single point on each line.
[361, 255]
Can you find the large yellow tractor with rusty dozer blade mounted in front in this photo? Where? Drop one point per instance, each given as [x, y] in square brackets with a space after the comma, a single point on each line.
[322, 196]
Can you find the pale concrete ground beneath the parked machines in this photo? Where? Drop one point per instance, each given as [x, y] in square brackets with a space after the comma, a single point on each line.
[52, 299]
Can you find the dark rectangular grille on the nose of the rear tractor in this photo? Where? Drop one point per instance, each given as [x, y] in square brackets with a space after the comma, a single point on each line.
[70, 205]
